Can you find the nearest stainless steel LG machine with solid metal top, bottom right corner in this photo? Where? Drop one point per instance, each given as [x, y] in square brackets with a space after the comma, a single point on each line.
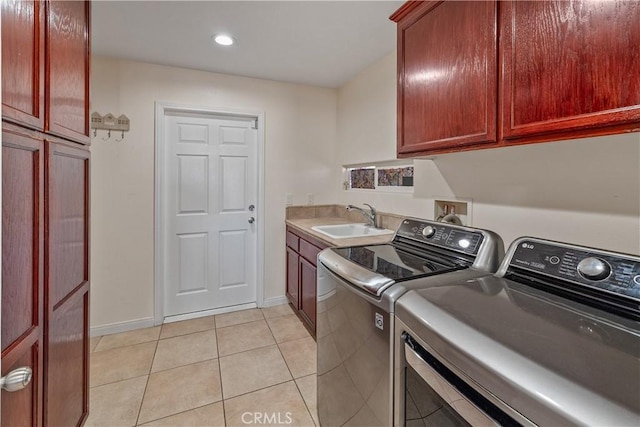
[553, 339]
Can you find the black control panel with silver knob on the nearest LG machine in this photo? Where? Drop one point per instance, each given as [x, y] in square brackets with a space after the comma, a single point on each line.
[608, 271]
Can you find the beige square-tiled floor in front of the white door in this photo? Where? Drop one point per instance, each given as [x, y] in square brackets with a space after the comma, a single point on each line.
[251, 367]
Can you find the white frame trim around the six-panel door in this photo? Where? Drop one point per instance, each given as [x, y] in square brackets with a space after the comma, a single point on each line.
[159, 236]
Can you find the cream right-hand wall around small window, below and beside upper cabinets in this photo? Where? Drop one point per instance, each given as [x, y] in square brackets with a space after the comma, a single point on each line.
[582, 191]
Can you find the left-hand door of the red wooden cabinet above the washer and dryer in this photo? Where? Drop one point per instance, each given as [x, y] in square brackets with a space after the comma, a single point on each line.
[447, 76]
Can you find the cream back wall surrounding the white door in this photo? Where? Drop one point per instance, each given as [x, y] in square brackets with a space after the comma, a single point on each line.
[299, 142]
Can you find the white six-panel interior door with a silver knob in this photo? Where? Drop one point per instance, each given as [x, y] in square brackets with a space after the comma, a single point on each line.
[211, 192]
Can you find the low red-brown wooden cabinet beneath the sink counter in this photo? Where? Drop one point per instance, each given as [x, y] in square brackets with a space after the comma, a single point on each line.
[302, 252]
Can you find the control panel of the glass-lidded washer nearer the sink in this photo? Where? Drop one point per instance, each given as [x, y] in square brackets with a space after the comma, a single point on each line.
[437, 234]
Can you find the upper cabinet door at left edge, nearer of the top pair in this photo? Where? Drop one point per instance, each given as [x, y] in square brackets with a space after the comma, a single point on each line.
[23, 62]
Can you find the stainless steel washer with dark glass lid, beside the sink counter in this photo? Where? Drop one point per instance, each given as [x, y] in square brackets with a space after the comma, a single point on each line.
[357, 288]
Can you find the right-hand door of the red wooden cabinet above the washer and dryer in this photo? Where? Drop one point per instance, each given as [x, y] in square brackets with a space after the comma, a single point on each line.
[569, 66]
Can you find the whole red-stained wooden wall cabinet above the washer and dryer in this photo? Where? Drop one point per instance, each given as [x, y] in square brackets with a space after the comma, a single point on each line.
[567, 69]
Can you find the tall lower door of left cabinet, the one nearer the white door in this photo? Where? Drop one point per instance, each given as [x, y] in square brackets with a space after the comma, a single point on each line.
[67, 286]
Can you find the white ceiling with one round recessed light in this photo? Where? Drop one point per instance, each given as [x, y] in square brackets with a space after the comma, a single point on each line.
[321, 43]
